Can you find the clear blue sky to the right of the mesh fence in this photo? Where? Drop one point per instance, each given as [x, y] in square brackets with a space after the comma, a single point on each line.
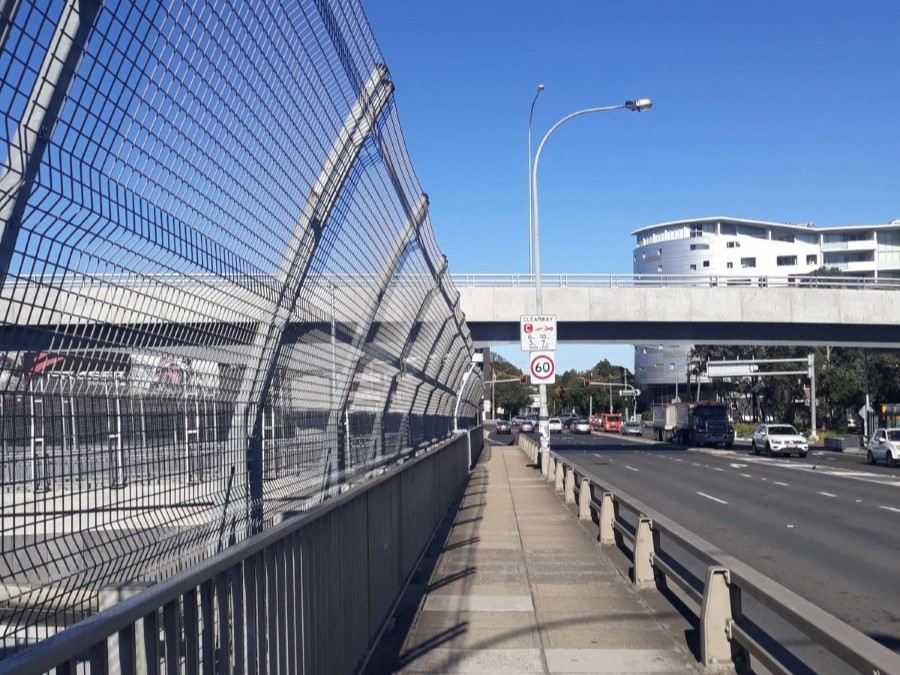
[784, 111]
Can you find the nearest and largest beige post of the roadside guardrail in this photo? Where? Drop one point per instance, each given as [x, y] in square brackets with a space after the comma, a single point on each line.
[721, 606]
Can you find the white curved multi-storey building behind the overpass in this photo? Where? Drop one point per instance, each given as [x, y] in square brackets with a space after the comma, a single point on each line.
[735, 247]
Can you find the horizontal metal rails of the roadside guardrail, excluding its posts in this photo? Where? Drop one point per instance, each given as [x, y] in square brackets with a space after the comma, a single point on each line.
[836, 636]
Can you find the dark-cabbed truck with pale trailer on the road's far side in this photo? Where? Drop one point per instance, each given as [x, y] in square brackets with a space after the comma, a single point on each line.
[703, 423]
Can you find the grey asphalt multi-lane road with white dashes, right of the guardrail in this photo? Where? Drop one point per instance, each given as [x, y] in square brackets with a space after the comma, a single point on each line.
[827, 527]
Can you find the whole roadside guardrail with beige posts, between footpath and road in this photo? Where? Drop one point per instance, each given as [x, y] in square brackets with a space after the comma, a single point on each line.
[717, 600]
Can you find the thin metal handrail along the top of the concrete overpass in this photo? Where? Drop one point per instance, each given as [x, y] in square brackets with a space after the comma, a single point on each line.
[672, 281]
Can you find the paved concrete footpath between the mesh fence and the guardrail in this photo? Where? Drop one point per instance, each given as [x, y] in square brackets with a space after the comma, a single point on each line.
[522, 587]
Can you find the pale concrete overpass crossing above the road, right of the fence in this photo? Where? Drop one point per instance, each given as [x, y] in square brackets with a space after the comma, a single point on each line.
[835, 311]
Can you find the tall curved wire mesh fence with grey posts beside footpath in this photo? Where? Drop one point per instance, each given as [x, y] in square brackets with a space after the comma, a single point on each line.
[221, 294]
